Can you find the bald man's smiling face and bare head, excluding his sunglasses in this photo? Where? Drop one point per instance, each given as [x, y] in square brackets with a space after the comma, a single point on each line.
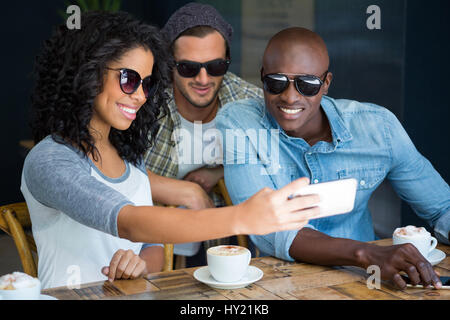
[289, 53]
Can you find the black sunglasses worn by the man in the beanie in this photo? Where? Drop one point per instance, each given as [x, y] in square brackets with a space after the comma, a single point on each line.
[215, 68]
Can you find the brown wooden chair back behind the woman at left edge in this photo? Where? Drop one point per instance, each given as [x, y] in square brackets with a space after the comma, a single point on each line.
[13, 219]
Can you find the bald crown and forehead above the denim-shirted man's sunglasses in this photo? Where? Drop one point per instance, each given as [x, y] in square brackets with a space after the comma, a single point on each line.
[304, 48]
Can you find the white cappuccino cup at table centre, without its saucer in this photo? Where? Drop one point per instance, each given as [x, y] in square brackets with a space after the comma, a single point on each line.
[228, 263]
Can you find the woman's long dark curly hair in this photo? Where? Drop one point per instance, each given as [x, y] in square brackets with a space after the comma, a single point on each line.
[69, 75]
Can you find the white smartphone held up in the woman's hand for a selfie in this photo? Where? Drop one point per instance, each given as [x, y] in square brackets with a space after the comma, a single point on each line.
[336, 197]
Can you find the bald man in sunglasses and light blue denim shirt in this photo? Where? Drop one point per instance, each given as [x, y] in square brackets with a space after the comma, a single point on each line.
[328, 139]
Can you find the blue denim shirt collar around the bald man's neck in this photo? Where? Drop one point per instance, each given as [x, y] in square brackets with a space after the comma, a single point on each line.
[339, 131]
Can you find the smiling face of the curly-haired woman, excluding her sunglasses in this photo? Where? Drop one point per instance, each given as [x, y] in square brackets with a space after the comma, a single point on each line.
[113, 107]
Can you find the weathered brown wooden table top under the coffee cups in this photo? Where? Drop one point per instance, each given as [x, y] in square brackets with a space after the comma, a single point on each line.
[282, 280]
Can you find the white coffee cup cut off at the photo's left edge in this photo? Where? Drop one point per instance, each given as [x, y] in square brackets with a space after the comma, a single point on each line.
[25, 289]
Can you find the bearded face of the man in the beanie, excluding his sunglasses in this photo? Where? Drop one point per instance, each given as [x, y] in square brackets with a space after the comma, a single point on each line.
[200, 91]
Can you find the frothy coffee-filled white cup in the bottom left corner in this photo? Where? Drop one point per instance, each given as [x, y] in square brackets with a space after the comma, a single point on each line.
[19, 286]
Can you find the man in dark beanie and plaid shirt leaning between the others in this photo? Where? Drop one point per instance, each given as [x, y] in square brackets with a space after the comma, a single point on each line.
[186, 147]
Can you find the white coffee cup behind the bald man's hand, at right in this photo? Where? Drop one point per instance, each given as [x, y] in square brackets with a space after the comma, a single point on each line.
[419, 237]
